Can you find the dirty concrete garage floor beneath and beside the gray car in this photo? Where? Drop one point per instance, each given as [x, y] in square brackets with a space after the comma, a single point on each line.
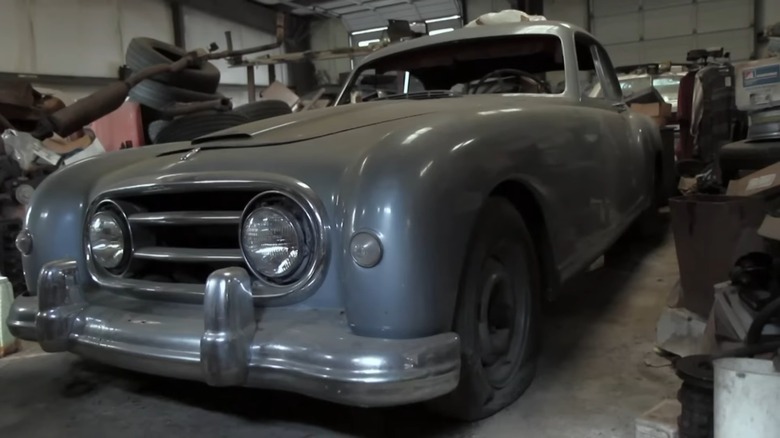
[594, 379]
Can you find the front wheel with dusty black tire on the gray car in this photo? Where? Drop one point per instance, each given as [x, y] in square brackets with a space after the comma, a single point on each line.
[500, 285]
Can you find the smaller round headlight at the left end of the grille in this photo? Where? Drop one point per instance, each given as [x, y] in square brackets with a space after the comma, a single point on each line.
[107, 240]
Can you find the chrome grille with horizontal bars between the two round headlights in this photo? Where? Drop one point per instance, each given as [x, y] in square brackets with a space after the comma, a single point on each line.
[180, 236]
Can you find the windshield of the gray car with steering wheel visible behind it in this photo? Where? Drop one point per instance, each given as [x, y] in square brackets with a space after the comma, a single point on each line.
[516, 64]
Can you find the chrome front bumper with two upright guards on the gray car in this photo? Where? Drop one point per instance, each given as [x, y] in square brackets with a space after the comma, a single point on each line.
[225, 342]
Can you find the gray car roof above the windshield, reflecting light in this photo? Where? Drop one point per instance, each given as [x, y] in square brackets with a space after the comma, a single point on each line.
[557, 28]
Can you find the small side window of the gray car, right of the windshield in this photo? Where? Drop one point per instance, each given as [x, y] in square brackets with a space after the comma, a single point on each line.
[595, 77]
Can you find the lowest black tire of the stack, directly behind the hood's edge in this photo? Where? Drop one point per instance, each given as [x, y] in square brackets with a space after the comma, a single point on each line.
[190, 127]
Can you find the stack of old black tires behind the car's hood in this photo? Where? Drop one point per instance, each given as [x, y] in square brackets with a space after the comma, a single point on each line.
[191, 85]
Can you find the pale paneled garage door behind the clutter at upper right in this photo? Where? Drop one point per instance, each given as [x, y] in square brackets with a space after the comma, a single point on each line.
[648, 31]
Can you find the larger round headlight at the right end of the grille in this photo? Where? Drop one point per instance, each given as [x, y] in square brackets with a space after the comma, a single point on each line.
[272, 242]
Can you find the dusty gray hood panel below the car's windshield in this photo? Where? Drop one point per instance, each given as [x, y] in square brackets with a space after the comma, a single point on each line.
[313, 124]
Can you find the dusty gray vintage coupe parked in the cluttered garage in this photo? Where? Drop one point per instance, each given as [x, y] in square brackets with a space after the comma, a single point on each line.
[392, 249]
